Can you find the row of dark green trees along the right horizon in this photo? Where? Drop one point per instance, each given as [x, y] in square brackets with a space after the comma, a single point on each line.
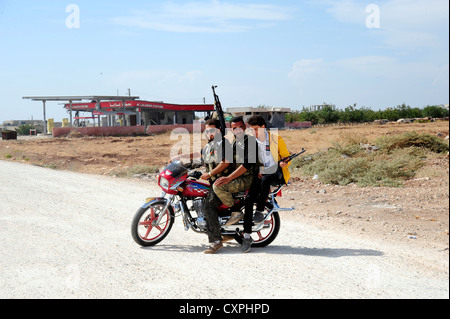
[352, 114]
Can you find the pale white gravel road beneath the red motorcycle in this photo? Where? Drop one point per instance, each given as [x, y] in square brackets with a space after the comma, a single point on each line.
[67, 235]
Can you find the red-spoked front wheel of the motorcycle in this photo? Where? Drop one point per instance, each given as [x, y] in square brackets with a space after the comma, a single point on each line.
[144, 228]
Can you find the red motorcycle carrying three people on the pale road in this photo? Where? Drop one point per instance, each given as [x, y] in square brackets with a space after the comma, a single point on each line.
[184, 195]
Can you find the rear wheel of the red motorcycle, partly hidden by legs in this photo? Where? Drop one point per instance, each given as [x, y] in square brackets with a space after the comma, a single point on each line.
[268, 234]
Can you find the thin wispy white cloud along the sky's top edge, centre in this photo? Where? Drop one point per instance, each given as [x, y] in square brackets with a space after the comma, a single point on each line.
[210, 17]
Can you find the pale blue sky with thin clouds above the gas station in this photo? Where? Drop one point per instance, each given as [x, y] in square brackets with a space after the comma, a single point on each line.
[281, 53]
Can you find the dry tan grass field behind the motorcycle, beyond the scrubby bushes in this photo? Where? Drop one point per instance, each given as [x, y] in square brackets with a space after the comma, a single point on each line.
[126, 155]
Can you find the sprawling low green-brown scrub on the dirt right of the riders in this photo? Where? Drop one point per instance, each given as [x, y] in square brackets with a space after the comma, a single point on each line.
[398, 158]
